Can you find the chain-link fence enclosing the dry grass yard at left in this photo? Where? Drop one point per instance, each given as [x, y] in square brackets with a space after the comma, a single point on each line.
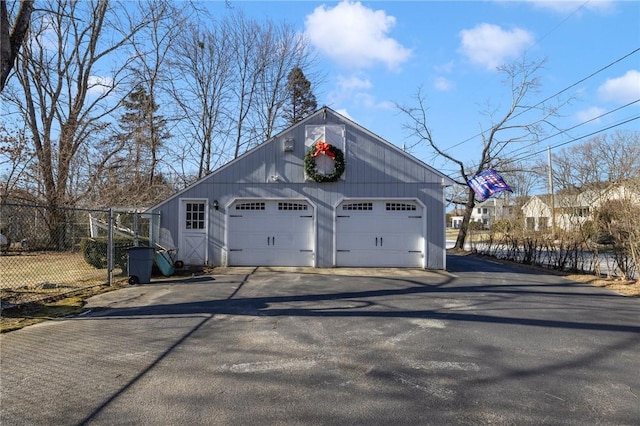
[47, 251]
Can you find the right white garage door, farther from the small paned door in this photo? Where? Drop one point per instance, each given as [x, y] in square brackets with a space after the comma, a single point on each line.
[379, 233]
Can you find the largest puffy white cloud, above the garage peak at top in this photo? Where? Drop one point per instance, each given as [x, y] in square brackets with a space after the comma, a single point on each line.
[355, 36]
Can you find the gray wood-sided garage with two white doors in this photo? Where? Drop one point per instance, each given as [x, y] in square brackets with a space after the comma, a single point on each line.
[386, 209]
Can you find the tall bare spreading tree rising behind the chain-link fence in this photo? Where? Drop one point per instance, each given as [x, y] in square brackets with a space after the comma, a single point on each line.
[69, 76]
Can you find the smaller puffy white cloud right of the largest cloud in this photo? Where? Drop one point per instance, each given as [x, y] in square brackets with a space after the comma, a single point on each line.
[490, 46]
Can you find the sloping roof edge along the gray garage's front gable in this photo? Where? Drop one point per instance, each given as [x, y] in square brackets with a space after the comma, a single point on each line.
[447, 181]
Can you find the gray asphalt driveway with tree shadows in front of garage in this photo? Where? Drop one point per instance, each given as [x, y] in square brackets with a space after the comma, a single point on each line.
[482, 344]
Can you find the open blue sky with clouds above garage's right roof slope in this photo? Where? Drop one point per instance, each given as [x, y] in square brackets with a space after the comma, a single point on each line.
[375, 54]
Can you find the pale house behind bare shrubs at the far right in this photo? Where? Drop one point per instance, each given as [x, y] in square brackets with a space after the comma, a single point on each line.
[572, 210]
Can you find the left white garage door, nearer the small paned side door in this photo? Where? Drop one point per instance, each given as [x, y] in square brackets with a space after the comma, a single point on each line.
[271, 233]
